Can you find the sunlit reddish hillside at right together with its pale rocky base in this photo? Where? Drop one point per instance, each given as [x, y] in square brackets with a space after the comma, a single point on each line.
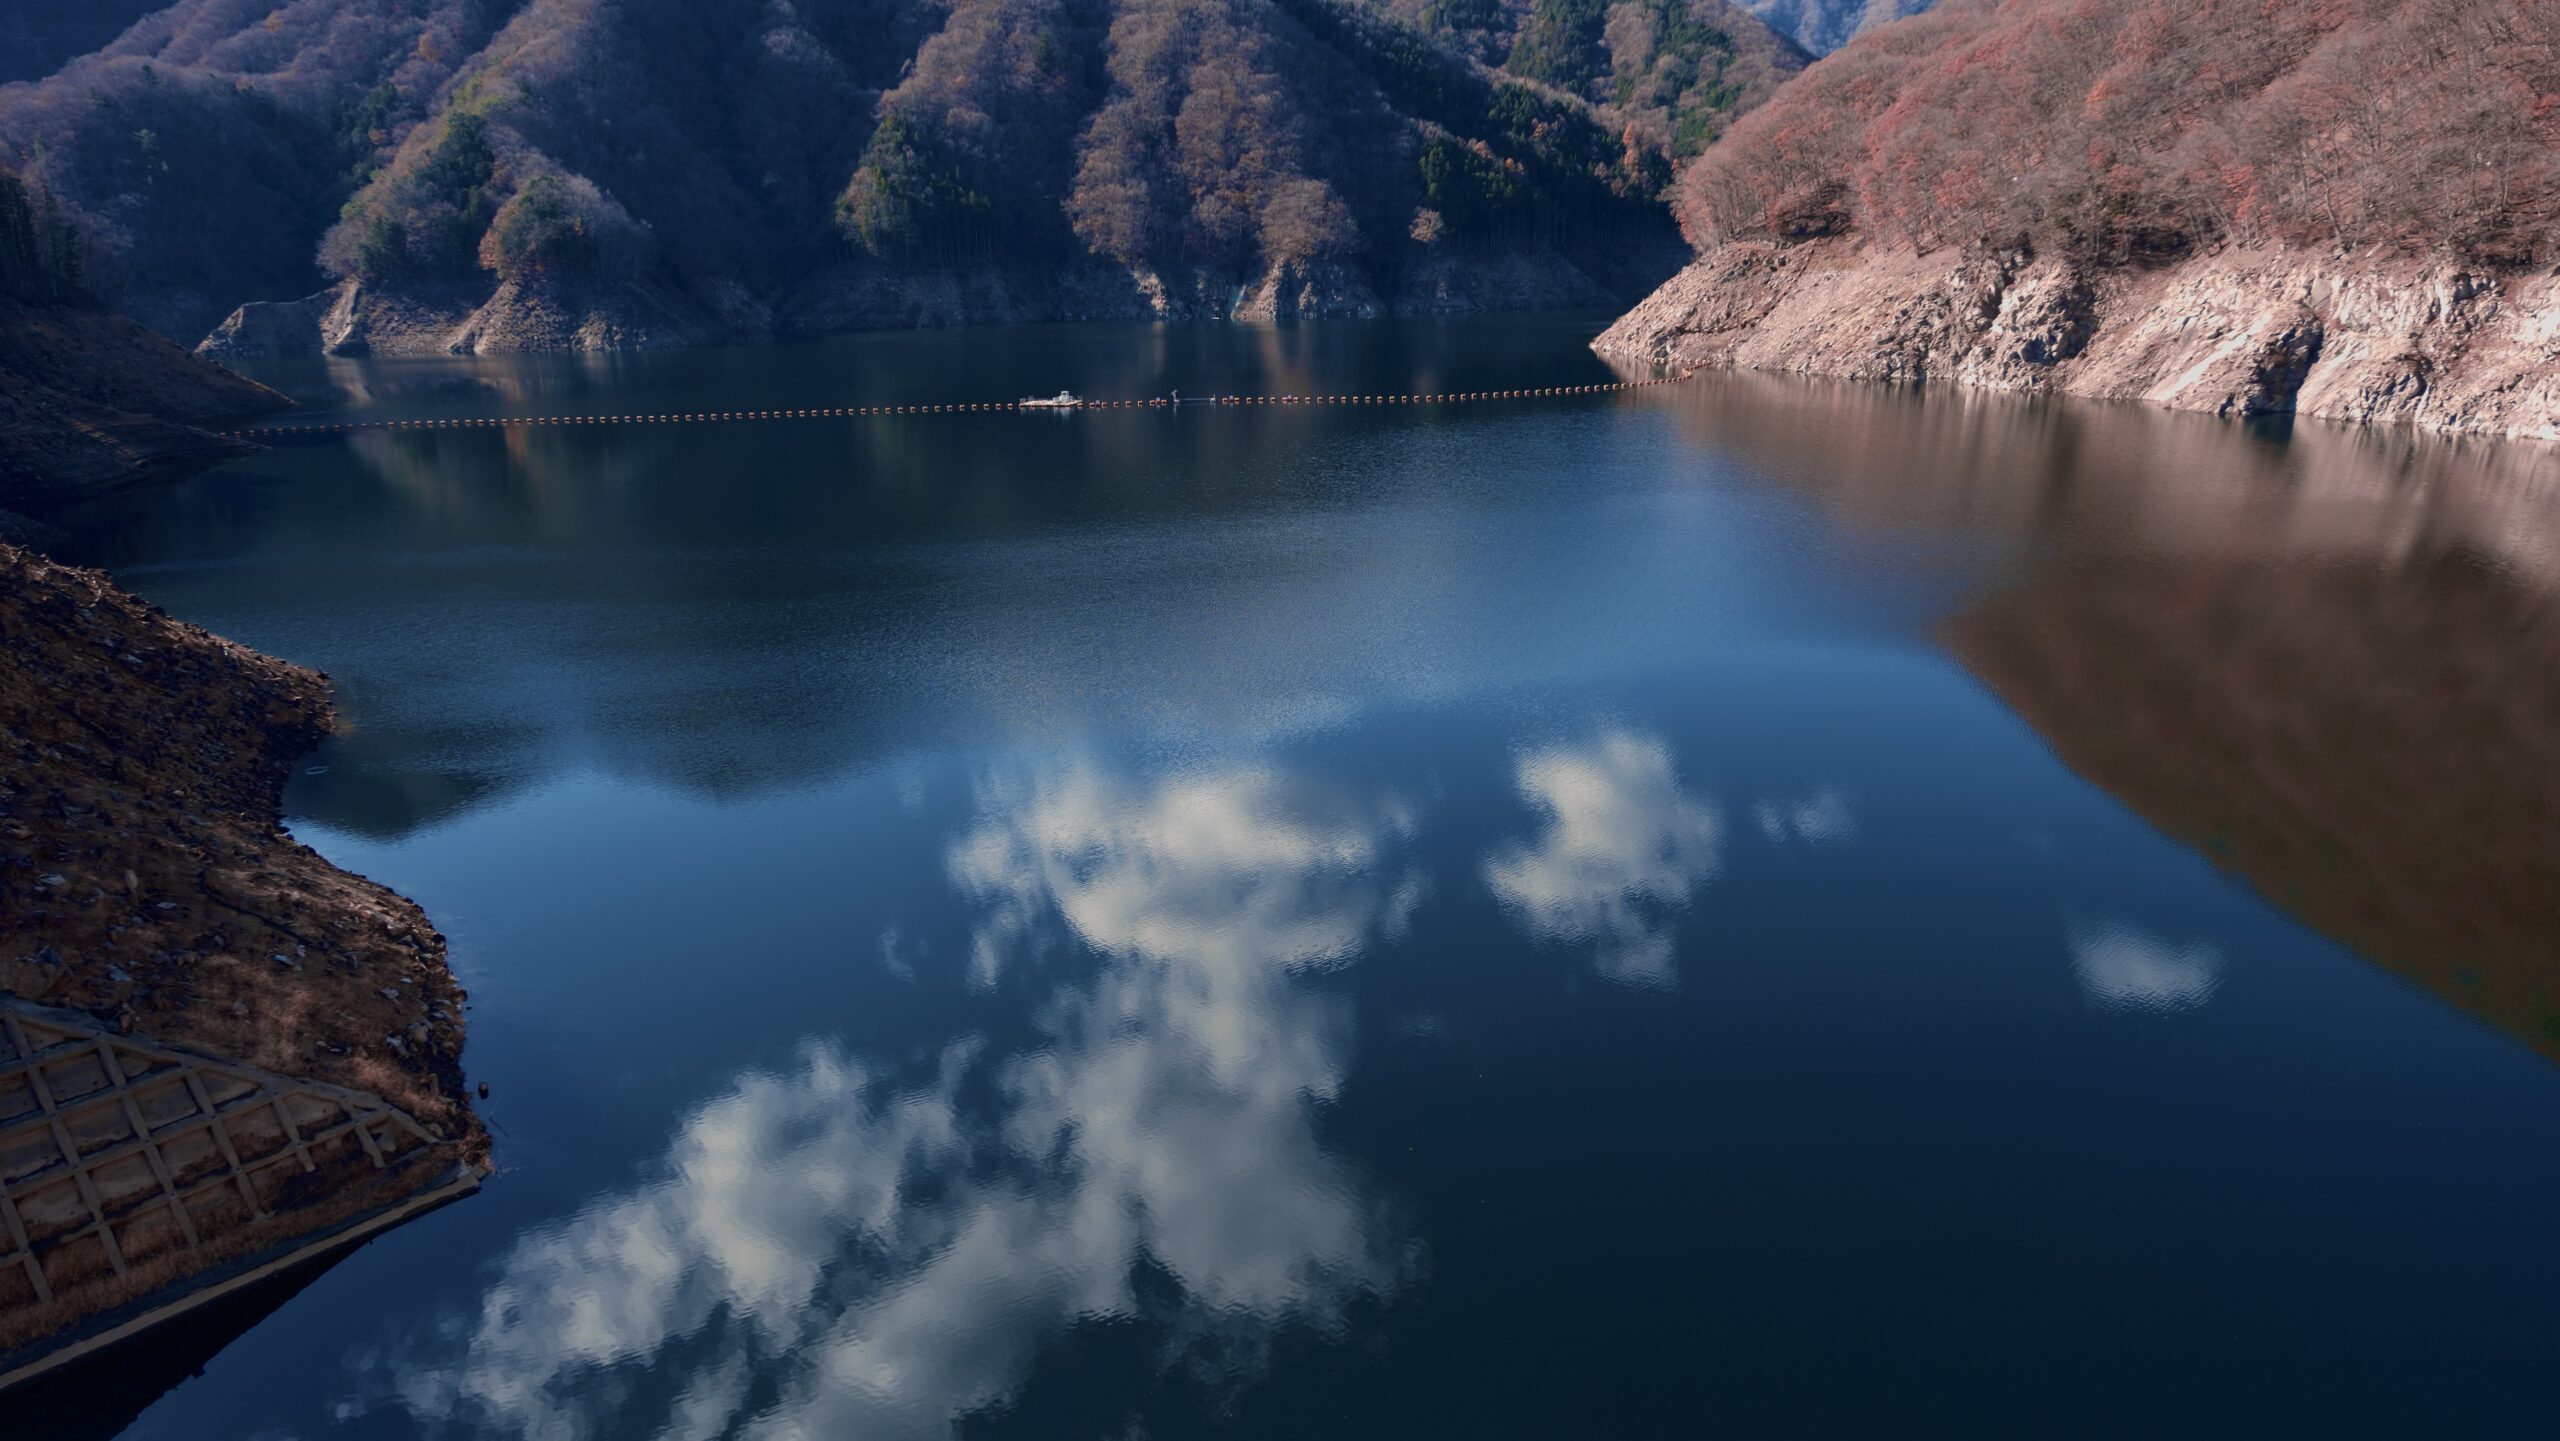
[2249, 206]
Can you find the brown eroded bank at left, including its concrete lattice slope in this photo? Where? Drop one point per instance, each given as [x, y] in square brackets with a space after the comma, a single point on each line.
[150, 887]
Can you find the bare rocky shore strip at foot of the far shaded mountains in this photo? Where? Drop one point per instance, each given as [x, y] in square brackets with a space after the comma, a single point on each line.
[355, 319]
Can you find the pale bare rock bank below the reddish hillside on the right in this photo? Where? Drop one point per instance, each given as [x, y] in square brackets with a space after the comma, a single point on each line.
[2244, 331]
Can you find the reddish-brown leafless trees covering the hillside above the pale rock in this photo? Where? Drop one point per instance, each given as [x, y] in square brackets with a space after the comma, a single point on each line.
[2131, 129]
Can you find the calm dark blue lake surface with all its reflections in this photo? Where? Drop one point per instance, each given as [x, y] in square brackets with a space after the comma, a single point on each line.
[1745, 907]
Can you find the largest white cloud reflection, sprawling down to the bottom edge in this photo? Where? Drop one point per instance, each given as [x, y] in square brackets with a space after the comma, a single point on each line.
[844, 1253]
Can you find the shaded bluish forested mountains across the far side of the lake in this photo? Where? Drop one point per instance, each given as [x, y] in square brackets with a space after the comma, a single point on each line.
[605, 173]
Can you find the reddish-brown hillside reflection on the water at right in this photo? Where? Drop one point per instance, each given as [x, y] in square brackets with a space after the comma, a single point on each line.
[2326, 659]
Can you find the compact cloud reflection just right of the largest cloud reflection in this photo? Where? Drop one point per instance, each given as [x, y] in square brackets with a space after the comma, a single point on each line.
[1619, 854]
